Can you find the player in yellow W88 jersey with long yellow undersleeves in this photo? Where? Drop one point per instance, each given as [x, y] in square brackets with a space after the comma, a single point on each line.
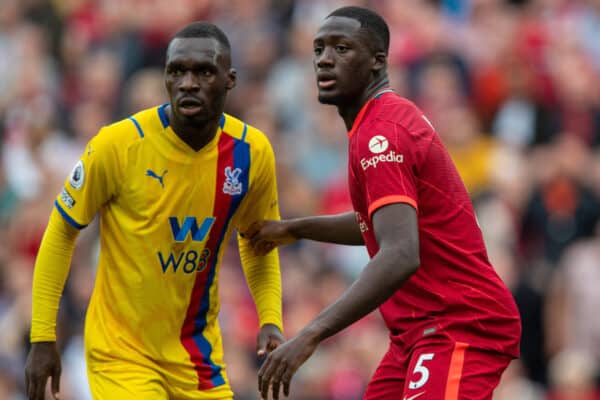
[170, 184]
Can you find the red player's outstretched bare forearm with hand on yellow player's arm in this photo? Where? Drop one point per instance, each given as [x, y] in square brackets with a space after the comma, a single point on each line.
[339, 229]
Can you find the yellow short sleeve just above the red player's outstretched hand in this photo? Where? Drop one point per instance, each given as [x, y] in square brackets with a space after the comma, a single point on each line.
[262, 200]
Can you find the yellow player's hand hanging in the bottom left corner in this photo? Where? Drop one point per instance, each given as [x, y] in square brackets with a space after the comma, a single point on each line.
[43, 362]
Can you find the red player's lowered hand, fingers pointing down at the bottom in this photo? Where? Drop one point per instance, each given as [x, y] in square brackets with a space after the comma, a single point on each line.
[282, 363]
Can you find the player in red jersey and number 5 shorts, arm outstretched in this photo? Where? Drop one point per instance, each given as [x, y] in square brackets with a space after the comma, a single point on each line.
[454, 326]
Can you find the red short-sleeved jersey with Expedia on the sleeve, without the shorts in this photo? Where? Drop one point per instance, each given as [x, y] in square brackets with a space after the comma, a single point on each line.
[396, 157]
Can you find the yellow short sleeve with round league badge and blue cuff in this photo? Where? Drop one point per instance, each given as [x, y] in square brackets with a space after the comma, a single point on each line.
[92, 182]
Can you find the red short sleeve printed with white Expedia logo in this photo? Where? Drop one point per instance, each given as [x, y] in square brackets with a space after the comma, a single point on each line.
[385, 161]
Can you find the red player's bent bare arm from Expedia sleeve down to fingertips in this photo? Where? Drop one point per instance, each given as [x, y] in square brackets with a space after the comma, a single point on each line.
[396, 231]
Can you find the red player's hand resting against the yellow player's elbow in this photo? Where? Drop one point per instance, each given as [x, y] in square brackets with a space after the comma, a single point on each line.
[266, 235]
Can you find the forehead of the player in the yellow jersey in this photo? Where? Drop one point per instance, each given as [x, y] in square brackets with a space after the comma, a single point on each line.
[205, 49]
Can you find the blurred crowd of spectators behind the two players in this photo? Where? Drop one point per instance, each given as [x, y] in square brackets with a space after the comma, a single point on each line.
[512, 87]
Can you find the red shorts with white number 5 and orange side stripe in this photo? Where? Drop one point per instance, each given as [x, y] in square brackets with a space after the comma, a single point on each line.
[443, 370]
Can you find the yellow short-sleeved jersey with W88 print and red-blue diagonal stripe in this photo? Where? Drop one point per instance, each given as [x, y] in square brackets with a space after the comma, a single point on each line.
[166, 213]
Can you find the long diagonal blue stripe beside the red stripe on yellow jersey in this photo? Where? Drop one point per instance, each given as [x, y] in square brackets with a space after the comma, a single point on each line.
[241, 159]
